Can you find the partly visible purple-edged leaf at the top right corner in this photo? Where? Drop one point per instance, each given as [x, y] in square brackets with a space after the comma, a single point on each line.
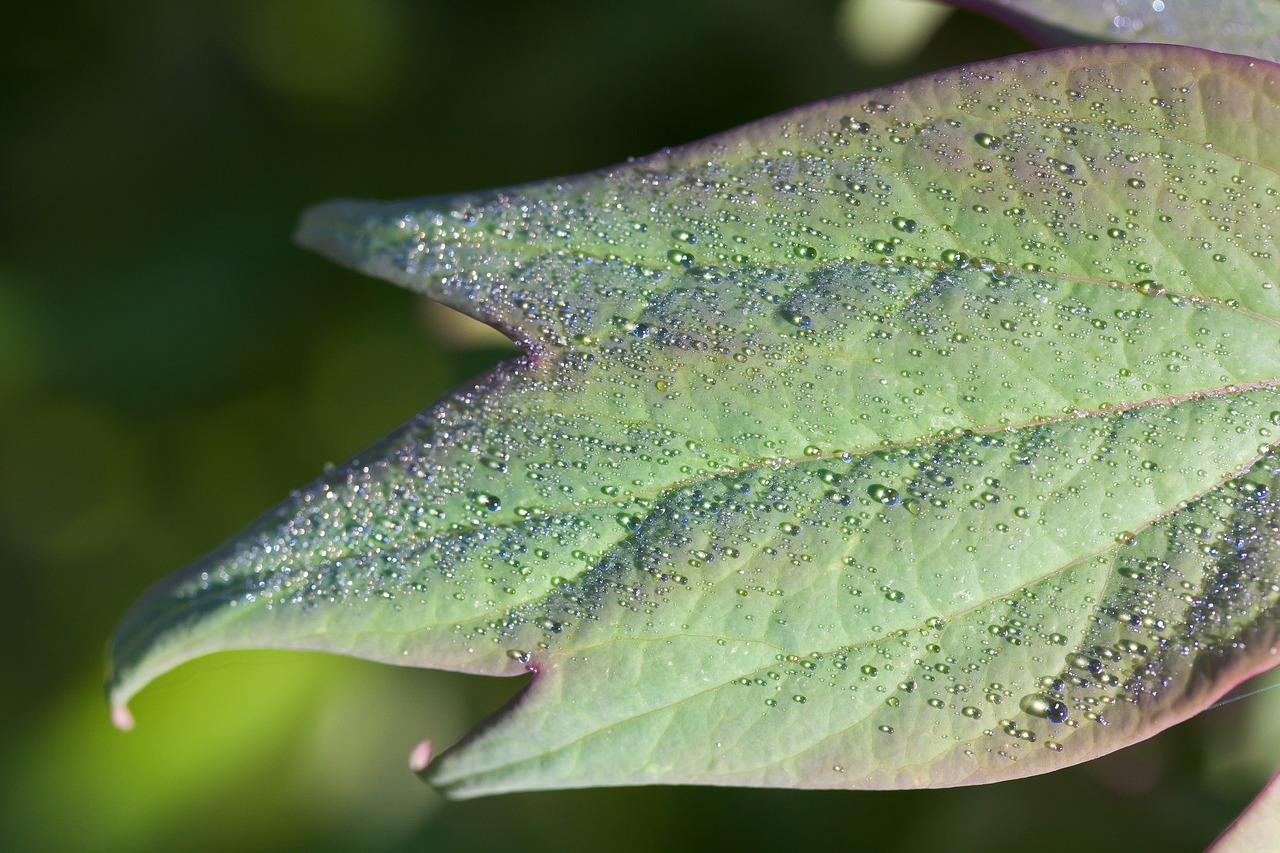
[1250, 28]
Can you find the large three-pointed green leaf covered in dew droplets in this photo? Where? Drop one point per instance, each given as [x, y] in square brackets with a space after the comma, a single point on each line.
[921, 437]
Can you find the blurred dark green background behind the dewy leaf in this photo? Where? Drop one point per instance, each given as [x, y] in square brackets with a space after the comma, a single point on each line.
[171, 367]
